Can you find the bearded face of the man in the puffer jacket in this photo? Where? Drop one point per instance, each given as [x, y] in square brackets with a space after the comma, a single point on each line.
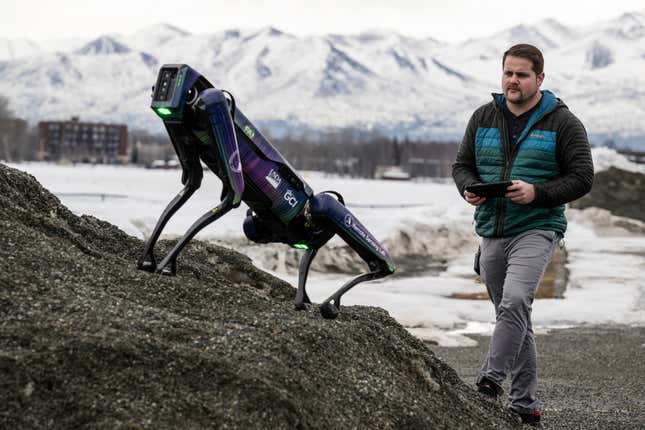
[520, 84]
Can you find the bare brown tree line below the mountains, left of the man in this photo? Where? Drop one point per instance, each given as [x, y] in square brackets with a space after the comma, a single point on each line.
[350, 152]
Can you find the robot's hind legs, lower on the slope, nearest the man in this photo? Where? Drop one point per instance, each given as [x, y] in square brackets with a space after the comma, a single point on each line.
[326, 210]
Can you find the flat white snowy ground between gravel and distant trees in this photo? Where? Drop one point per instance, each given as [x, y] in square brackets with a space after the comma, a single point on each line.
[606, 264]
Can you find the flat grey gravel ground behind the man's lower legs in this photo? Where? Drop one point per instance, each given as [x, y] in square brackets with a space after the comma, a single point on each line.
[589, 377]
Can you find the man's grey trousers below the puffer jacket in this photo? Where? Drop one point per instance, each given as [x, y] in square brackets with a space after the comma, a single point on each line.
[511, 268]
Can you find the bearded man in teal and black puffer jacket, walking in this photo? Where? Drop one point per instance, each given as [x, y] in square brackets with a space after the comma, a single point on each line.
[530, 137]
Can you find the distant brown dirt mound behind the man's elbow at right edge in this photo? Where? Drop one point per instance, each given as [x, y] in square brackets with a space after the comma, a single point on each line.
[619, 191]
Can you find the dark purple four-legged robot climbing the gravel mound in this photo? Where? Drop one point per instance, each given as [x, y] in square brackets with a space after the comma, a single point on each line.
[205, 126]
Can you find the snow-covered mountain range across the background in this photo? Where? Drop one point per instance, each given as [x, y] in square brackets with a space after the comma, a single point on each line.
[379, 80]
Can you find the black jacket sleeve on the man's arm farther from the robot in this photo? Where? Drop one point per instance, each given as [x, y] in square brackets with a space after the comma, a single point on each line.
[576, 167]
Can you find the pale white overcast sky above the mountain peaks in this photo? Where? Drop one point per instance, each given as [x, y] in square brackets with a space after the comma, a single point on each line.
[446, 20]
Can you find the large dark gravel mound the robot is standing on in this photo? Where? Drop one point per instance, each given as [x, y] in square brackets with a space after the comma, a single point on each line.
[88, 341]
